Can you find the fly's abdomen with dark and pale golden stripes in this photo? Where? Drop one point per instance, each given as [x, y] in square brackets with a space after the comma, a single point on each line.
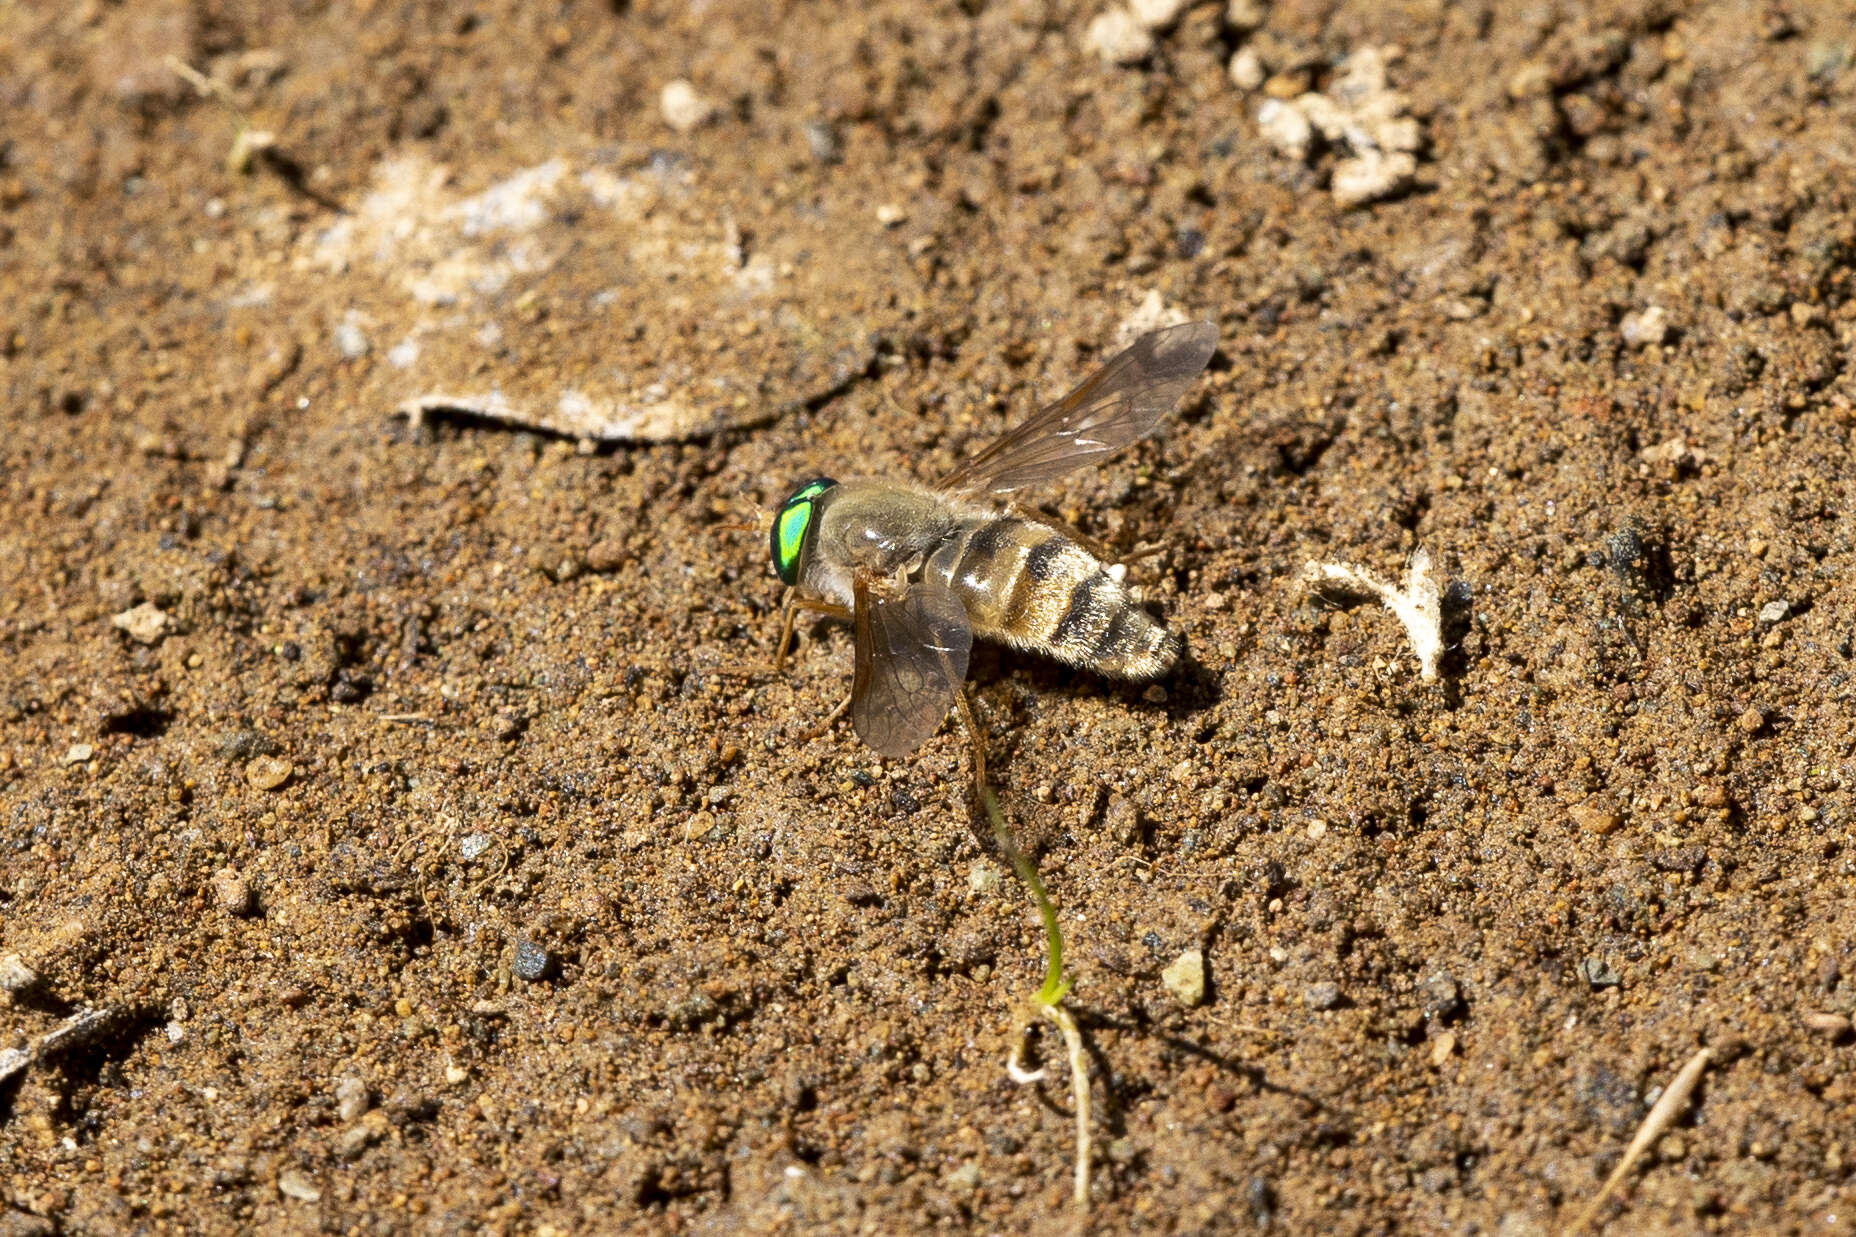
[1033, 588]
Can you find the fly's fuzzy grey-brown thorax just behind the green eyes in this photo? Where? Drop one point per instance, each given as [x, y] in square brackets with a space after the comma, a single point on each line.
[877, 528]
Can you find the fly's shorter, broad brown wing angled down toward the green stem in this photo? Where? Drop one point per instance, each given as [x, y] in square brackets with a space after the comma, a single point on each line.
[912, 658]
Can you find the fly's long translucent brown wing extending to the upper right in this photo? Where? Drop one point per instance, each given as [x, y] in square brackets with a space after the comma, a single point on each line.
[1116, 406]
